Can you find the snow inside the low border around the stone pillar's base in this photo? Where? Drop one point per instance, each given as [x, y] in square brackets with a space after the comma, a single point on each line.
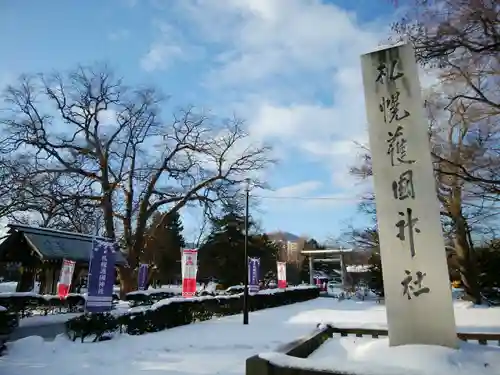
[369, 356]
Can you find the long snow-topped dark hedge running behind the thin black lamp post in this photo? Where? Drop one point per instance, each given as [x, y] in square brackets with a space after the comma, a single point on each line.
[174, 312]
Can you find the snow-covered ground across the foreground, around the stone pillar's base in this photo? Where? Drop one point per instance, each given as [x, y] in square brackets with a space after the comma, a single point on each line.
[220, 346]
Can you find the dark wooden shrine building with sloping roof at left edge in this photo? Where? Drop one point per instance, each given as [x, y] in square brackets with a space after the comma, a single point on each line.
[39, 252]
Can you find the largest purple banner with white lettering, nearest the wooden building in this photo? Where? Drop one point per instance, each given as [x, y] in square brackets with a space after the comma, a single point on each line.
[101, 277]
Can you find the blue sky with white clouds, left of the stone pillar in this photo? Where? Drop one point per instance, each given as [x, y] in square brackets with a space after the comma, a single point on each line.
[290, 68]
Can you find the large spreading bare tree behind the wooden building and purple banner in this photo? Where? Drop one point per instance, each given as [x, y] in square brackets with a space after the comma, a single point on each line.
[107, 145]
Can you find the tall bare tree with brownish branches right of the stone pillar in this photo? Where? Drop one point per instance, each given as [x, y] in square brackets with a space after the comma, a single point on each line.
[462, 38]
